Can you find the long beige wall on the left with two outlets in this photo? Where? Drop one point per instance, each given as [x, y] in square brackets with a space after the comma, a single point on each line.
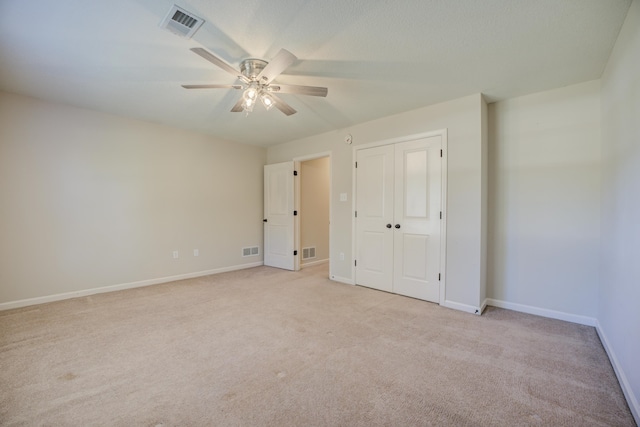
[90, 200]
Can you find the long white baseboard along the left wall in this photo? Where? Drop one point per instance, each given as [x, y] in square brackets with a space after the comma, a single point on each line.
[85, 292]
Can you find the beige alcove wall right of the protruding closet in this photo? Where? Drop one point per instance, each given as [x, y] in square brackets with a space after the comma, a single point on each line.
[544, 226]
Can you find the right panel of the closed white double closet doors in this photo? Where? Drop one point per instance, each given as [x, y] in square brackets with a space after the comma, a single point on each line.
[417, 218]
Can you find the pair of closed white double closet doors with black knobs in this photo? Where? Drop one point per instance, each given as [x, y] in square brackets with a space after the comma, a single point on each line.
[398, 223]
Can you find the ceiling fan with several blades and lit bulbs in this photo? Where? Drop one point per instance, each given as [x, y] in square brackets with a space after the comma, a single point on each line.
[257, 78]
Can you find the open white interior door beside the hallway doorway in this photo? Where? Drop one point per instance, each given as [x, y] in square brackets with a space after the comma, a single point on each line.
[278, 216]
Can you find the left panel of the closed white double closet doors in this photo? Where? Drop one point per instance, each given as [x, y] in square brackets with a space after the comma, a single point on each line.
[374, 209]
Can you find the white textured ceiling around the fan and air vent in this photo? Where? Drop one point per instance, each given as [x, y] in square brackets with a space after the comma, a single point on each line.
[377, 57]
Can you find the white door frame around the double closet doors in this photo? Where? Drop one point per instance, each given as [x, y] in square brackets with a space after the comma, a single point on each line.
[443, 224]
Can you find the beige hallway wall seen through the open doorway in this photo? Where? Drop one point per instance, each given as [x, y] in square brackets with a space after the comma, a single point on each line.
[314, 207]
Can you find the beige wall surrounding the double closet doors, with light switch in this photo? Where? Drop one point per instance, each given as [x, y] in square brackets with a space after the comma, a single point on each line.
[463, 120]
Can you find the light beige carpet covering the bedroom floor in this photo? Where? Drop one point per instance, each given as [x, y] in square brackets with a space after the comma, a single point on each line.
[268, 347]
